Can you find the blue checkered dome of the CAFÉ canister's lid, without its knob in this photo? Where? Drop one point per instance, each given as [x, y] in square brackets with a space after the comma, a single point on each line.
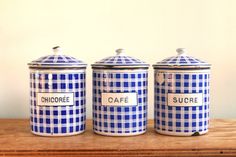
[120, 60]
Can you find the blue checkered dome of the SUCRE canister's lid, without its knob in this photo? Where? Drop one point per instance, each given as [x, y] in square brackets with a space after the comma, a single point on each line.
[182, 60]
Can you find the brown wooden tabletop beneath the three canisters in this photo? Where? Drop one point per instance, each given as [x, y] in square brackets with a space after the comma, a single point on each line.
[16, 140]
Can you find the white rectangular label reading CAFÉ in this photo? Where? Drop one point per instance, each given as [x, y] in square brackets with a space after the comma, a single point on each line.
[119, 99]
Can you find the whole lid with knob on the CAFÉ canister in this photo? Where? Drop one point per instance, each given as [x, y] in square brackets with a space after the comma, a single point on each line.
[120, 60]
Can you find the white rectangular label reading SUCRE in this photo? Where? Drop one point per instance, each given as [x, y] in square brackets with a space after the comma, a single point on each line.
[195, 99]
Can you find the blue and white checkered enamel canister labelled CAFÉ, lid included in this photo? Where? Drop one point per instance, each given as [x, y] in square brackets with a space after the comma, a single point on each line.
[120, 88]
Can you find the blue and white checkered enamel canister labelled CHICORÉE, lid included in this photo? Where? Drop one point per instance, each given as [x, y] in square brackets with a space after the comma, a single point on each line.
[57, 95]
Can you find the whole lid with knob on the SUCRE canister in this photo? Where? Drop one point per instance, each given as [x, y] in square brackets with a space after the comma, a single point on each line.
[181, 61]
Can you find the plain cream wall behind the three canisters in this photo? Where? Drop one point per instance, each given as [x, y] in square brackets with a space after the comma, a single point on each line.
[93, 29]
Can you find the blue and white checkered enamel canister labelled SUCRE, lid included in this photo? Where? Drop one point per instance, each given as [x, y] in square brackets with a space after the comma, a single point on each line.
[181, 95]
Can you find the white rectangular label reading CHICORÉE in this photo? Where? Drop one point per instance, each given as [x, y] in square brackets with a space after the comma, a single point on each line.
[55, 99]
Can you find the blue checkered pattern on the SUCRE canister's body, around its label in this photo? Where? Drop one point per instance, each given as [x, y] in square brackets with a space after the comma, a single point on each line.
[182, 119]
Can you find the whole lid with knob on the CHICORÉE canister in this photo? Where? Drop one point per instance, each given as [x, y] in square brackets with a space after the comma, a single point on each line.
[57, 60]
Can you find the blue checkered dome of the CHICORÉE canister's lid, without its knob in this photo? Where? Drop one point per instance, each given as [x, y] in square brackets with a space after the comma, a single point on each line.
[57, 60]
